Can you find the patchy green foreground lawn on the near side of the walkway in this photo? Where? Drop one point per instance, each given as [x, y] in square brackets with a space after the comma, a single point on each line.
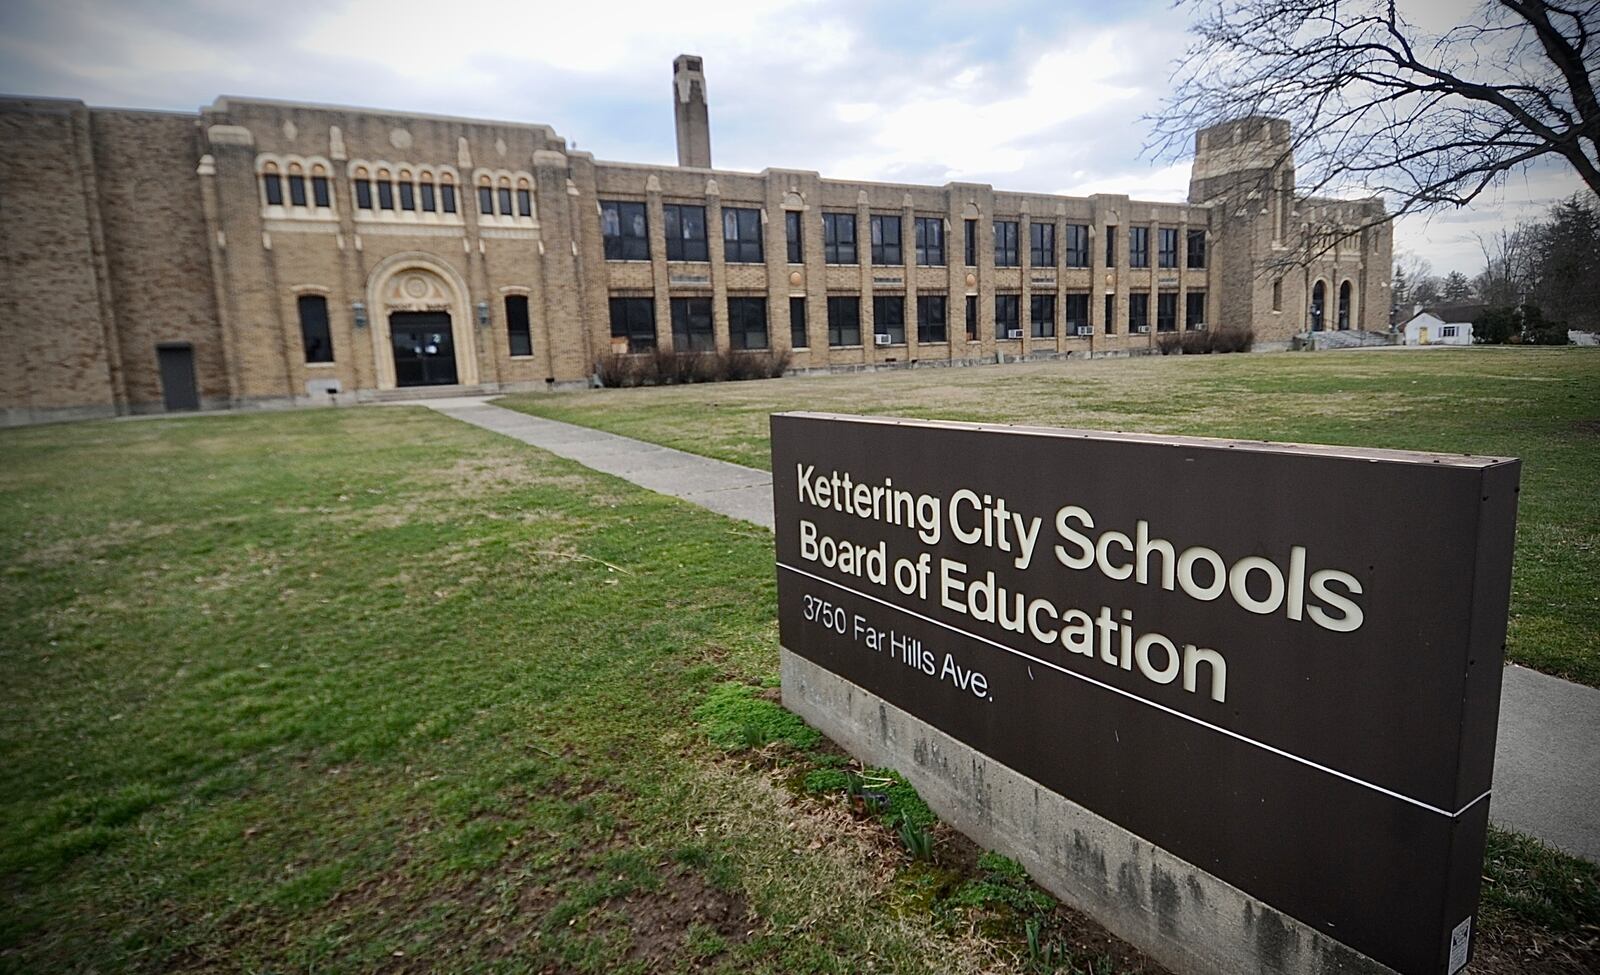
[374, 691]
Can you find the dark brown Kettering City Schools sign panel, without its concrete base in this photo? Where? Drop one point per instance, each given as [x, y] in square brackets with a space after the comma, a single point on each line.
[1279, 664]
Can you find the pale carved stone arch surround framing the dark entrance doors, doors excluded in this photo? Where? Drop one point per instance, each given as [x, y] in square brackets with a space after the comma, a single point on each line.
[415, 286]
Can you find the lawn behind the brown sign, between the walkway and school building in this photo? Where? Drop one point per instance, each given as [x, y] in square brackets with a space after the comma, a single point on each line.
[1542, 406]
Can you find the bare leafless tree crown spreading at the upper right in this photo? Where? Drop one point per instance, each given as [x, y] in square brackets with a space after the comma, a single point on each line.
[1425, 119]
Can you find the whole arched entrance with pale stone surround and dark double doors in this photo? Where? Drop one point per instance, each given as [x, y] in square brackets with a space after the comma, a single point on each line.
[422, 324]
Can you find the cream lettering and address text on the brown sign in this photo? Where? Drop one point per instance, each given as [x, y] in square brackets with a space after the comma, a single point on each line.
[1071, 537]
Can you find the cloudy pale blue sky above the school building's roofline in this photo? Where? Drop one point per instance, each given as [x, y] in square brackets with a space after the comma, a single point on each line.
[1025, 95]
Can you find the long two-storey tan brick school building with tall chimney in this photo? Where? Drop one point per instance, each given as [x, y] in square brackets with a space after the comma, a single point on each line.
[271, 254]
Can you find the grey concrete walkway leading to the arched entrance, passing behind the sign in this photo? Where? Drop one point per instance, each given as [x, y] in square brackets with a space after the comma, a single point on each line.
[1548, 755]
